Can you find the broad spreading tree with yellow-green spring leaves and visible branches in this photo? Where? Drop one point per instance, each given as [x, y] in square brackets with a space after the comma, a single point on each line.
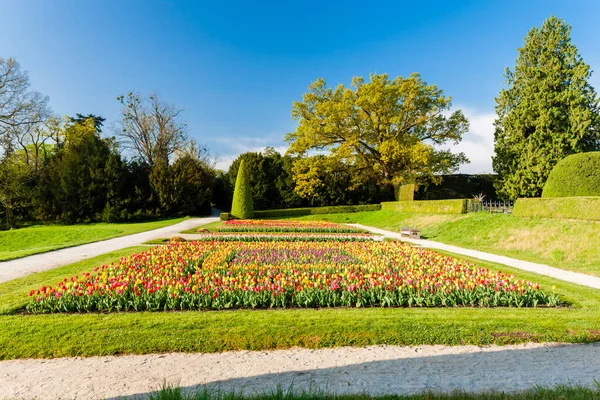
[390, 131]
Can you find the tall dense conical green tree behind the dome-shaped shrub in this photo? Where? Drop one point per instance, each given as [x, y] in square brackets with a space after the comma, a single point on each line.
[548, 111]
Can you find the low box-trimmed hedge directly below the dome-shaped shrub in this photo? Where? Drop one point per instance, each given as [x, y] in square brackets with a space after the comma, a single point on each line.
[559, 207]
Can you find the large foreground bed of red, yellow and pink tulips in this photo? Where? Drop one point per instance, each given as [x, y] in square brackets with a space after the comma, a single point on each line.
[219, 275]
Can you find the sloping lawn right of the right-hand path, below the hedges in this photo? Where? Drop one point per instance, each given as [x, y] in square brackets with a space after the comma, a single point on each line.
[567, 244]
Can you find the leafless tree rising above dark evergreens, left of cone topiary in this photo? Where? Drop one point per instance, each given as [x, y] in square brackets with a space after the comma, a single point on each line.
[151, 128]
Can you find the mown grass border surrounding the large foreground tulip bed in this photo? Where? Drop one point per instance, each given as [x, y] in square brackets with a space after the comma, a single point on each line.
[59, 335]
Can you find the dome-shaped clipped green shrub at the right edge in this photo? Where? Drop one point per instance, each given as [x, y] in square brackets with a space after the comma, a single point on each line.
[575, 175]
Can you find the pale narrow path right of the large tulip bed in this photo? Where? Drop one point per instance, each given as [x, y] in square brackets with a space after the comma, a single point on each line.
[568, 276]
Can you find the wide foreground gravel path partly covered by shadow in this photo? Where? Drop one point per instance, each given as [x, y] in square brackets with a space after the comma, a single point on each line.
[375, 370]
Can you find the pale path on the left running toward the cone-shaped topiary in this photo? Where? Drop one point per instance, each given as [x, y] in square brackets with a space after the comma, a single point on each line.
[41, 262]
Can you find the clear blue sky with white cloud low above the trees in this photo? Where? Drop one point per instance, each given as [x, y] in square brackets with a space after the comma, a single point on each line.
[235, 67]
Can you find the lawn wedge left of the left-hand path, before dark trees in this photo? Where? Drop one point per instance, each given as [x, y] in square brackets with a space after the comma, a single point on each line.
[23, 242]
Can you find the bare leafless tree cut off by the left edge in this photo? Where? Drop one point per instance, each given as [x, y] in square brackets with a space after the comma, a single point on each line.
[20, 107]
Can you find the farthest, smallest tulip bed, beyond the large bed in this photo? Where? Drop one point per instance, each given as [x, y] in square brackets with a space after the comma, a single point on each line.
[267, 225]
